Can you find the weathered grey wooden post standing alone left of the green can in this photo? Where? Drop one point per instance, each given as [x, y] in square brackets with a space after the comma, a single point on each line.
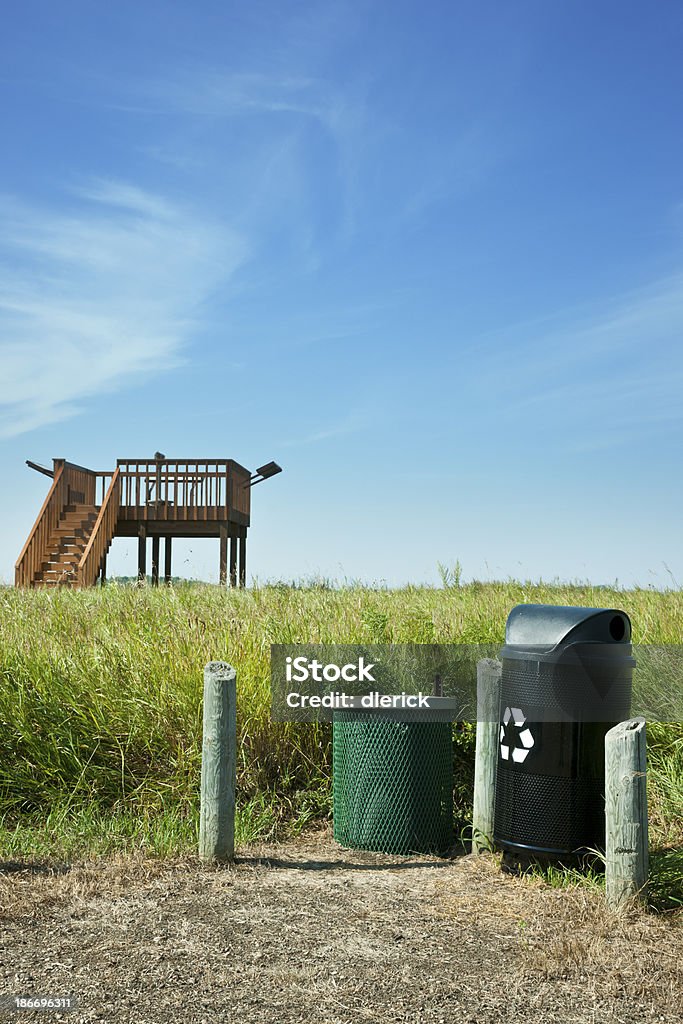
[219, 763]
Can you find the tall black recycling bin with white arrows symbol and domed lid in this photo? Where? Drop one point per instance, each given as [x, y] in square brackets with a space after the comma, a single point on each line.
[567, 679]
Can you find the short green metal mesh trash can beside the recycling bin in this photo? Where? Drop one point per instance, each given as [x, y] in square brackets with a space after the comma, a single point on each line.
[393, 779]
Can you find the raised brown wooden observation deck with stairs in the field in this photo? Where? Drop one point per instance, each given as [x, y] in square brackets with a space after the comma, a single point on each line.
[156, 499]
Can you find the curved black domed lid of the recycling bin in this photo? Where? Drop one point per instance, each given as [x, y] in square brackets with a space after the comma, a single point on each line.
[545, 626]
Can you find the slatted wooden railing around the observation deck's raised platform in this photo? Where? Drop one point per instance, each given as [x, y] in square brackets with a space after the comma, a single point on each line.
[173, 491]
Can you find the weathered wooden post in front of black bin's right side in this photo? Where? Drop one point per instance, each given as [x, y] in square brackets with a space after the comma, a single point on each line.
[626, 813]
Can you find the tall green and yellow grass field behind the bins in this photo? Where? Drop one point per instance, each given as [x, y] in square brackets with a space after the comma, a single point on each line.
[101, 696]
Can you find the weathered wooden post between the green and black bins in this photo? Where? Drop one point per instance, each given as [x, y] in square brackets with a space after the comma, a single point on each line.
[486, 759]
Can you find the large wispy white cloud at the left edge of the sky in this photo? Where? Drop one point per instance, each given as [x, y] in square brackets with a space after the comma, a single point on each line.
[94, 300]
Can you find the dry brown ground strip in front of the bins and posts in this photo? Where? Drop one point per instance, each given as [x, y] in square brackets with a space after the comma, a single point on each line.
[310, 932]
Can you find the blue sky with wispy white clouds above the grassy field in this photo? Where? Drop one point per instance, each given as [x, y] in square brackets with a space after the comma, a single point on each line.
[429, 258]
